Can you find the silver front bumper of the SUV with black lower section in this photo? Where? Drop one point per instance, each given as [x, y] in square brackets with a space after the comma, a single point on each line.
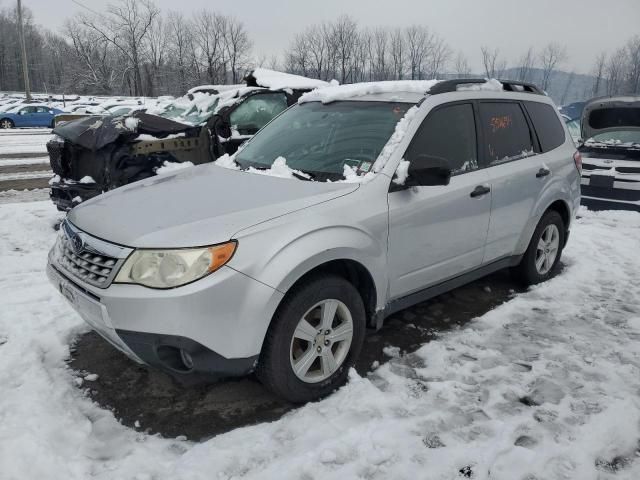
[213, 327]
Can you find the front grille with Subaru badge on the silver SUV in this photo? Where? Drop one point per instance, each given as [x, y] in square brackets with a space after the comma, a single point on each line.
[91, 260]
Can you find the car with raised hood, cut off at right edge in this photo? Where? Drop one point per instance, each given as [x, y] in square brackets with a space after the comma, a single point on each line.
[610, 149]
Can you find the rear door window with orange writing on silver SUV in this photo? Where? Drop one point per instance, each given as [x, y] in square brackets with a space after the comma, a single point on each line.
[506, 132]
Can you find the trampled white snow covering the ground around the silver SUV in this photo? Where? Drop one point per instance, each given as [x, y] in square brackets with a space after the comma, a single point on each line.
[544, 387]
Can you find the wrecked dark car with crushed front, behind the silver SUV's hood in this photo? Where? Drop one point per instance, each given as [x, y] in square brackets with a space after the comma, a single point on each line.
[95, 154]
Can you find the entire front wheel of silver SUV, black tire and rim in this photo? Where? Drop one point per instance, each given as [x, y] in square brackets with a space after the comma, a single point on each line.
[283, 348]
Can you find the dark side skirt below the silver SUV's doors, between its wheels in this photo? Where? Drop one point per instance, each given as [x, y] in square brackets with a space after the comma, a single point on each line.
[430, 292]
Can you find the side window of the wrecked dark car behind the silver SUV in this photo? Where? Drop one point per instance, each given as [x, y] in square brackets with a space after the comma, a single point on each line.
[256, 111]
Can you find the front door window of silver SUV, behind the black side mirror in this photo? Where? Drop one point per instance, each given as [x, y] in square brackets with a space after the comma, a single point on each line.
[448, 133]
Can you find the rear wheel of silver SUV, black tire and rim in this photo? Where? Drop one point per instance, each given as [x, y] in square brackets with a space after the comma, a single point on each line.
[540, 261]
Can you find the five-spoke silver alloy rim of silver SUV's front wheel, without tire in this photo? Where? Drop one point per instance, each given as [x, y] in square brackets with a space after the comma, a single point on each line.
[321, 341]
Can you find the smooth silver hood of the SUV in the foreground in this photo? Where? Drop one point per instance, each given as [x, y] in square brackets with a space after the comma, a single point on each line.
[196, 206]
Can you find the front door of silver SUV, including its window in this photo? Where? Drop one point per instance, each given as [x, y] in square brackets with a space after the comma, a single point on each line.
[439, 232]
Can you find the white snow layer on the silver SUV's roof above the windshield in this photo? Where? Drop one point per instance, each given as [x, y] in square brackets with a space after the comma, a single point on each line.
[392, 89]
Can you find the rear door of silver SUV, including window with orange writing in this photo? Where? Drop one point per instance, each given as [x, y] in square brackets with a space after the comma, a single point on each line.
[511, 154]
